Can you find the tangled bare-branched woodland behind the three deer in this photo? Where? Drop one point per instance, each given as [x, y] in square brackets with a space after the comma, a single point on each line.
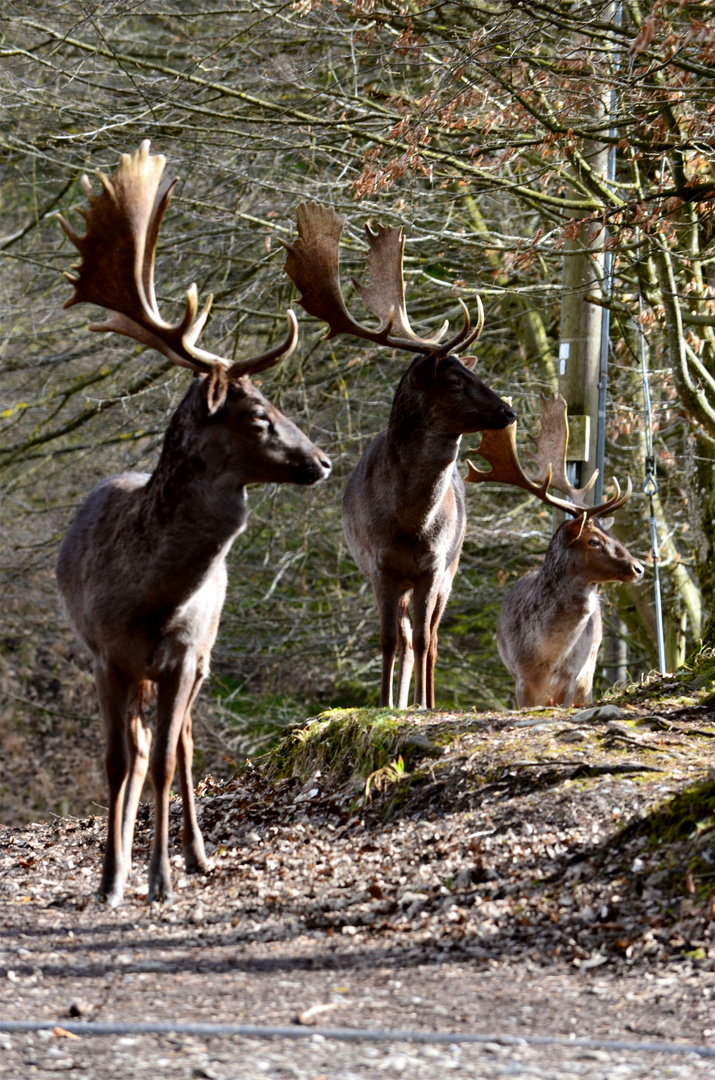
[511, 142]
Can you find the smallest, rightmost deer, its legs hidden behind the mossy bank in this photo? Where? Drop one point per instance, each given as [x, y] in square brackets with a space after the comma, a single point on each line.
[549, 629]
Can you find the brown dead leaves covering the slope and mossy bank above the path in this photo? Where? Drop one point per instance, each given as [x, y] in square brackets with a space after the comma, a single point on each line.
[557, 836]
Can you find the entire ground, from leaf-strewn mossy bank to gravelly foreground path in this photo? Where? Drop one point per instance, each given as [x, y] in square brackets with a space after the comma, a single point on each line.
[522, 875]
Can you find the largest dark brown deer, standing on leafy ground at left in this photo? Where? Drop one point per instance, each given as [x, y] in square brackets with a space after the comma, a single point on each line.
[142, 572]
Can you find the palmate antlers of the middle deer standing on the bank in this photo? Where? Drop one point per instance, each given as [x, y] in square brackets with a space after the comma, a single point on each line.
[313, 264]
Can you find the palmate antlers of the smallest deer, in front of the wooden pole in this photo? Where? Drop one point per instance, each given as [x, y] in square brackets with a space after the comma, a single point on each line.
[500, 450]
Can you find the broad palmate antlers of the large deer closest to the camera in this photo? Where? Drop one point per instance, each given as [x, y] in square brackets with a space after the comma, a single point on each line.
[117, 268]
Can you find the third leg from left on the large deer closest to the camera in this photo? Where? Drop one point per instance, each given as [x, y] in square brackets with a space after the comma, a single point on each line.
[176, 694]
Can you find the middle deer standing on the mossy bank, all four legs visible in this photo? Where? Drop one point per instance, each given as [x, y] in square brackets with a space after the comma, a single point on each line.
[403, 509]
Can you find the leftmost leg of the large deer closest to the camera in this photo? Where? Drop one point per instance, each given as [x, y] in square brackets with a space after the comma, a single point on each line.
[113, 693]
